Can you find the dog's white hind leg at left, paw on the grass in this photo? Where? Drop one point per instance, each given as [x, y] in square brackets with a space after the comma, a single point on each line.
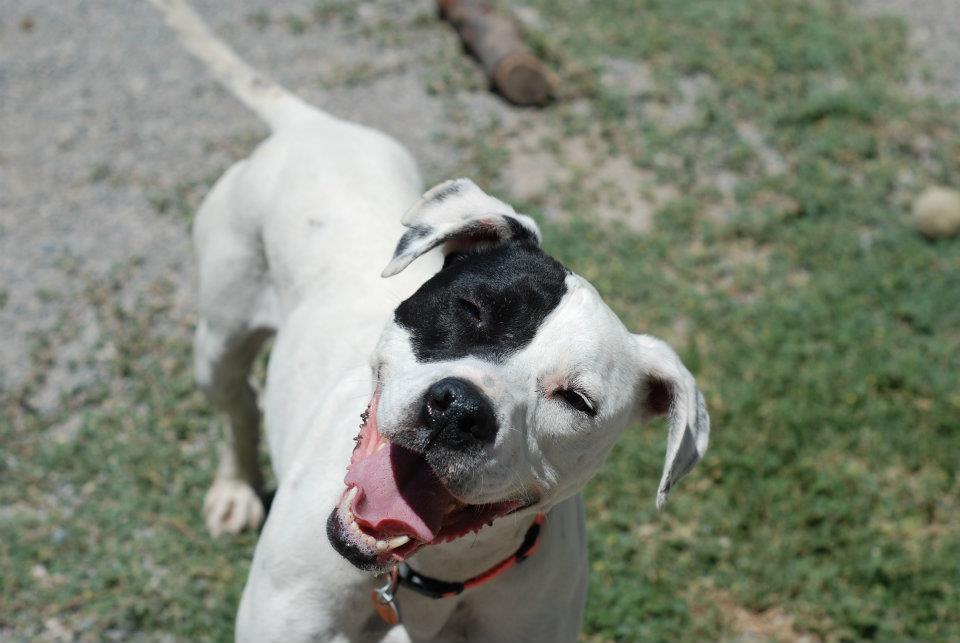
[235, 320]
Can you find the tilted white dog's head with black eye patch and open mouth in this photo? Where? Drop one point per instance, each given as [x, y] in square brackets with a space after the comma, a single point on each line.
[501, 385]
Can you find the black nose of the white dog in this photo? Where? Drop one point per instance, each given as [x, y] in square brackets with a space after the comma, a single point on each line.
[457, 414]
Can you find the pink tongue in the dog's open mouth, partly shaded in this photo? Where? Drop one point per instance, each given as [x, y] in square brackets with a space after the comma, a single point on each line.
[399, 493]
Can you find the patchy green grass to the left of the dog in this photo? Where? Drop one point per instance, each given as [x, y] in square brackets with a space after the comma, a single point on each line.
[102, 531]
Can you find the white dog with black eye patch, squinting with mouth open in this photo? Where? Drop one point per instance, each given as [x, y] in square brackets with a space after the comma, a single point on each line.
[486, 399]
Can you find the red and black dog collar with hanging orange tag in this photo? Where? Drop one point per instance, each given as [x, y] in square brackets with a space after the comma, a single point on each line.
[384, 598]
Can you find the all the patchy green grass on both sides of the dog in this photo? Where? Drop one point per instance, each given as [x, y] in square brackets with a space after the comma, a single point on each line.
[823, 330]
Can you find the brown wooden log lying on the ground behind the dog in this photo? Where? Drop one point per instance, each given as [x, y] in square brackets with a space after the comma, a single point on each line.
[497, 42]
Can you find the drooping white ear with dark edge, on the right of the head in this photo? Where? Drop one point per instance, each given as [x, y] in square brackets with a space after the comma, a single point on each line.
[668, 388]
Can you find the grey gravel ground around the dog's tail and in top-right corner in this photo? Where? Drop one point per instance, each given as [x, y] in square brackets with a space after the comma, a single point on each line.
[101, 108]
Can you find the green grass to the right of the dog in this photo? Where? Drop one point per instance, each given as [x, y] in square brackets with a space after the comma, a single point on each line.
[825, 336]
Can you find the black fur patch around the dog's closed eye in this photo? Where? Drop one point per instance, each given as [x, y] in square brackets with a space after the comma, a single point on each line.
[488, 303]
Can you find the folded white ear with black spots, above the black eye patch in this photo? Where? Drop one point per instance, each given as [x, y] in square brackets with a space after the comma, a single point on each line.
[461, 216]
